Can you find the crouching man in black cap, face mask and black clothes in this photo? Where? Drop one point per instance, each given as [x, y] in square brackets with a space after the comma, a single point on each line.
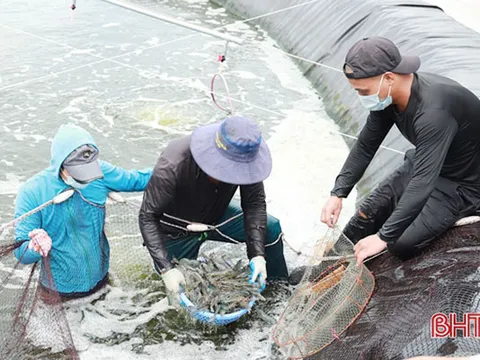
[439, 181]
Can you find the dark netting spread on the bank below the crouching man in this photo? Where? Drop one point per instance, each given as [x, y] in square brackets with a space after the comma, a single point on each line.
[396, 324]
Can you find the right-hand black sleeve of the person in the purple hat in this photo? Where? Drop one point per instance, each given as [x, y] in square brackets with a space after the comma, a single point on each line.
[254, 209]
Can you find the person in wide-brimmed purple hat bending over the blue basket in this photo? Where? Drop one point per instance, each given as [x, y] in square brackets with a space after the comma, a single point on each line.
[189, 200]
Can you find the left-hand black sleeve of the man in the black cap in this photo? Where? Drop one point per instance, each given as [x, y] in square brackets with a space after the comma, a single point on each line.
[362, 153]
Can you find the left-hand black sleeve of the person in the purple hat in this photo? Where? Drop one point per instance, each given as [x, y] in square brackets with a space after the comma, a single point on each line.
[158, 194]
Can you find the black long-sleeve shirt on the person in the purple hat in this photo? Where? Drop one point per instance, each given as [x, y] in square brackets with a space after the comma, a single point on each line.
[178, 187]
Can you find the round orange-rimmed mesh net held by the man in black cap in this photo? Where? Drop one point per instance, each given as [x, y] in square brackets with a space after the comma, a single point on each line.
[331, 295]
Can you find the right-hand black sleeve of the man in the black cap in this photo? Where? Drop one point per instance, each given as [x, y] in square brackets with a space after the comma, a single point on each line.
[435, 131]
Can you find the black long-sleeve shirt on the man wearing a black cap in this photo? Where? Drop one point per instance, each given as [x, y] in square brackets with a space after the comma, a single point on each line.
[442, 121]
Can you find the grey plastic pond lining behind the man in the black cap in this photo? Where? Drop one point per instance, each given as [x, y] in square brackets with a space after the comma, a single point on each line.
[324, 30]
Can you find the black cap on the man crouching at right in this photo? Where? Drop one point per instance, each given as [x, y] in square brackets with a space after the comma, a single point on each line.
[373, 56]
